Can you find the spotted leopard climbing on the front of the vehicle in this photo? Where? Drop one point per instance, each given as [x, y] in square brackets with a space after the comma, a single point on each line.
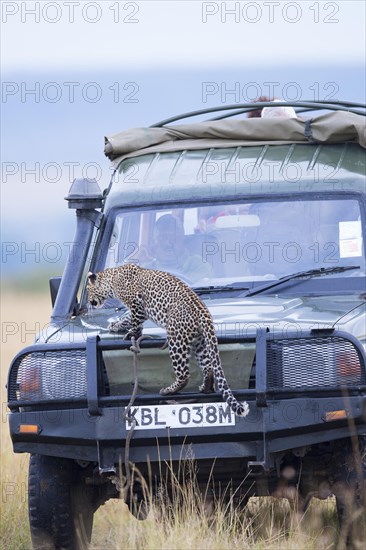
[173, 305]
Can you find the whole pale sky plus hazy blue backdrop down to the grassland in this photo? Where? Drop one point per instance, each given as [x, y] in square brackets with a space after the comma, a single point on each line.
[75, 71]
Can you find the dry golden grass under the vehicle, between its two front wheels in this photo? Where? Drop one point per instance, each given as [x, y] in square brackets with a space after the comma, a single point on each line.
[266, 524]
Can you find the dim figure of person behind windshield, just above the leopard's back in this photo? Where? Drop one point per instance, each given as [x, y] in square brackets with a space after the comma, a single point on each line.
[170, 252]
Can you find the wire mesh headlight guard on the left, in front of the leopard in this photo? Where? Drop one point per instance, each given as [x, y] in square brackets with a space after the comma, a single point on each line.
[49, 375]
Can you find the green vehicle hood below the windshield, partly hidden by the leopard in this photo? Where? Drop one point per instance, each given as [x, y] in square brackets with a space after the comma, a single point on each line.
[246, 315]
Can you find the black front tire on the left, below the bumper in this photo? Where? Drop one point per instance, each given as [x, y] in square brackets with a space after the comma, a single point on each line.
[60, 504]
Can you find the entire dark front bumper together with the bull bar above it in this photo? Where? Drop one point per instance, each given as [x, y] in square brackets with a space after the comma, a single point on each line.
[283, 416]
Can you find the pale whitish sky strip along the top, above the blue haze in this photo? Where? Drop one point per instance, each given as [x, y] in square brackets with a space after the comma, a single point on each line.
[48, 35]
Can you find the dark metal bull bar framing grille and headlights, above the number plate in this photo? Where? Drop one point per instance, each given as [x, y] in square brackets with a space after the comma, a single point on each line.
[268, 344]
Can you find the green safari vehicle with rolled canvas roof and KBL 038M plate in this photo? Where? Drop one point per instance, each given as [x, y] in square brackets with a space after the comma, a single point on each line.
[272, 233]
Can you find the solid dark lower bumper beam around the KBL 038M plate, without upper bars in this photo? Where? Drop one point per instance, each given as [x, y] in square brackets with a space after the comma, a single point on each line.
[281, 426]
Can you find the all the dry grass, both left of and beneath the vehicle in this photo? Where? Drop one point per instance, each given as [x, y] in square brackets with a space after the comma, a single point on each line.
[266, 524]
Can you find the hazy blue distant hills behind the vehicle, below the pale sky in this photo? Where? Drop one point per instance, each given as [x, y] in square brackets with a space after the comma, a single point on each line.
[64, 139]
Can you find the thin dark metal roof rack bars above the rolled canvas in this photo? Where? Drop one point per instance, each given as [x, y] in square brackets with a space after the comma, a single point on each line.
[240, 108]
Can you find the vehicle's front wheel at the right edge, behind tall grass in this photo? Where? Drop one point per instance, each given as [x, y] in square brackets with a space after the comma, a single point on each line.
[350, 491]
